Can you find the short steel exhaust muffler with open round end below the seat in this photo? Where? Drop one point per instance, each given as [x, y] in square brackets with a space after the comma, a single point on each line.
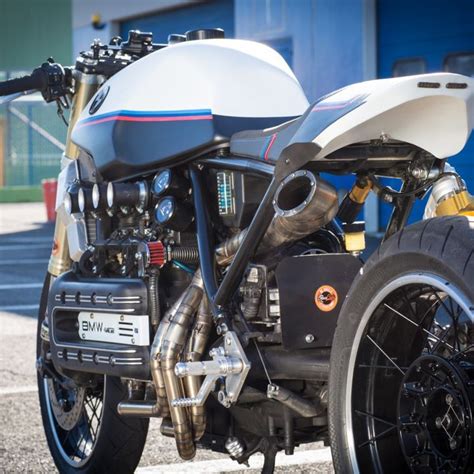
[303, 203]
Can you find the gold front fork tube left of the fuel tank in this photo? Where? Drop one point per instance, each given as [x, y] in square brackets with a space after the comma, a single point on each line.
[86, 86]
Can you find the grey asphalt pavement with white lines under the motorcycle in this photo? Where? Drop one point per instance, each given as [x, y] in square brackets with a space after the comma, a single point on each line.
[25, 243]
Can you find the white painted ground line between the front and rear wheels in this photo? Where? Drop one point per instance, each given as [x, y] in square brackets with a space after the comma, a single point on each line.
[227, 465]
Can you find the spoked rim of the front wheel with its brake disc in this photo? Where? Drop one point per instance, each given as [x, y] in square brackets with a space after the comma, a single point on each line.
[75, 418]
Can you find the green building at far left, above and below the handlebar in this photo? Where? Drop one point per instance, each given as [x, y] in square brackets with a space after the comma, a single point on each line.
[30, 133]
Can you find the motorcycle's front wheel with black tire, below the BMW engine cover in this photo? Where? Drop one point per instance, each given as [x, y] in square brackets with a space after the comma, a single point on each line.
[85, 434]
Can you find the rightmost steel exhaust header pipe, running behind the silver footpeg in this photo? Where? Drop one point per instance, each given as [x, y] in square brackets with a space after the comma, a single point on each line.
[195, 348]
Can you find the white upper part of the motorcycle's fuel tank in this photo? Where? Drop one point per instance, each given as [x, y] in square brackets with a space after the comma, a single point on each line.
[233, 78]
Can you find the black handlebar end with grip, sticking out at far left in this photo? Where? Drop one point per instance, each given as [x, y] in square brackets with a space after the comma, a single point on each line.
[51, 79]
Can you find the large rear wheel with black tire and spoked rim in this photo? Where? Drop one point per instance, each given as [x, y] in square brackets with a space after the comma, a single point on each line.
[437, 250]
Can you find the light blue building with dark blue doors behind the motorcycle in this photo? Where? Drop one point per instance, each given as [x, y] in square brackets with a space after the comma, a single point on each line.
[328, 43]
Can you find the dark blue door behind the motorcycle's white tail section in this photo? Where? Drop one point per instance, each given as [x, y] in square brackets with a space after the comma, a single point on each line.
[423, 36]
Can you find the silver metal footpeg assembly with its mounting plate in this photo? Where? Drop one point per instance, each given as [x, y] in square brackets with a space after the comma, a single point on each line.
[228, 361]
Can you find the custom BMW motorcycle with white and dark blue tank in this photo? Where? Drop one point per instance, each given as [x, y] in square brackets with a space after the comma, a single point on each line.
[204, 271]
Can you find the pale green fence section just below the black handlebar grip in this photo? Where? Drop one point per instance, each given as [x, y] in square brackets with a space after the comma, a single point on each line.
[33, 141]
